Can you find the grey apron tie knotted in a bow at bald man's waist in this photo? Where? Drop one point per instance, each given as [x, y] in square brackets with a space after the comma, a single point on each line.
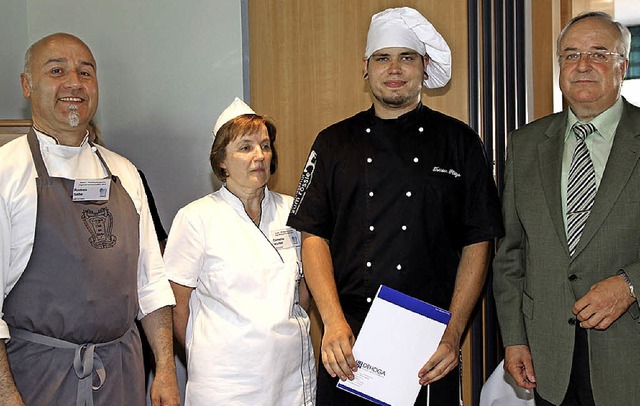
[85, 361]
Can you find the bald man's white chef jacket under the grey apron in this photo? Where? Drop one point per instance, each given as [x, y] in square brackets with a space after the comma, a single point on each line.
[18, 207]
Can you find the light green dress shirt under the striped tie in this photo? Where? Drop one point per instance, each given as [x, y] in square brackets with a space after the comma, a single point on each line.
[599, 145]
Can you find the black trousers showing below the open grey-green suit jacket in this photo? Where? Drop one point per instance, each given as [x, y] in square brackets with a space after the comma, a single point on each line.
[579, 392]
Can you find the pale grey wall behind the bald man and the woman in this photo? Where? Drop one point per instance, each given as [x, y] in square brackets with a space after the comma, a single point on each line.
[166, 69]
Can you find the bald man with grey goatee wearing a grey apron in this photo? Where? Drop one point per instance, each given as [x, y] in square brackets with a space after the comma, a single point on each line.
[78, 259]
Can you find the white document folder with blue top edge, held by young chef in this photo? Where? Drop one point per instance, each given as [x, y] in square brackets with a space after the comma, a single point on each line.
[399, 335]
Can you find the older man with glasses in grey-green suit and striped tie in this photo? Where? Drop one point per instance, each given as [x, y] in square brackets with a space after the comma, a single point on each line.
[565, 271]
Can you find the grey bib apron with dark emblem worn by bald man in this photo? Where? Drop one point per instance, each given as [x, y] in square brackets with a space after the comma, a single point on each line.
[71, 313]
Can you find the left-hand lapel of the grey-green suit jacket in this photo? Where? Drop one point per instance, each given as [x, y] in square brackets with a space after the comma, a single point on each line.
[550, 160]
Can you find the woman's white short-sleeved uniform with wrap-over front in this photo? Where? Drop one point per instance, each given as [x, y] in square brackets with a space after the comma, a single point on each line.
[247, 338]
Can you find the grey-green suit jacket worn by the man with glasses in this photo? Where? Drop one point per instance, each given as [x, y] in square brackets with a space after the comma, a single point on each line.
[536, 282]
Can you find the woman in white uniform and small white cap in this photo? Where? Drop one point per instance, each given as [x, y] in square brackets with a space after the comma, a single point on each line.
[236, 273]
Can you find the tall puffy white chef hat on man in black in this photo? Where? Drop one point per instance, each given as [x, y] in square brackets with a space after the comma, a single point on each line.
[405, 27]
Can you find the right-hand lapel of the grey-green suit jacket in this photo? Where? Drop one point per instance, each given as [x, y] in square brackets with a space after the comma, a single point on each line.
[620, 164]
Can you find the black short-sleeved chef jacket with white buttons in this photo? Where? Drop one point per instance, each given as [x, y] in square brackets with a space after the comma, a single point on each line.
[397, 200]
